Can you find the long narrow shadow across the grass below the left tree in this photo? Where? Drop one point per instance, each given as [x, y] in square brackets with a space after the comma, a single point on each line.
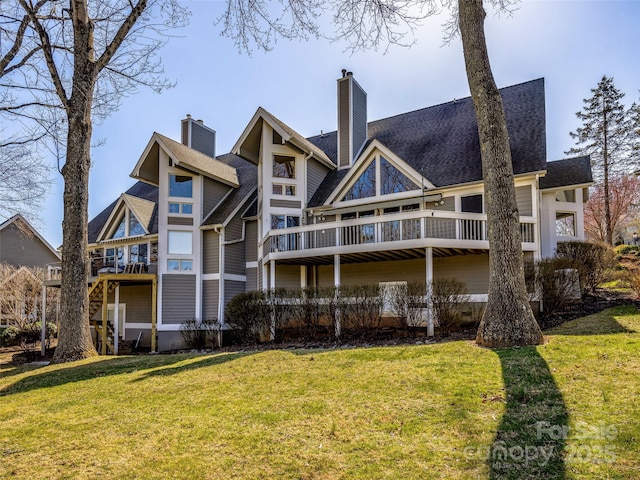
[146, 366]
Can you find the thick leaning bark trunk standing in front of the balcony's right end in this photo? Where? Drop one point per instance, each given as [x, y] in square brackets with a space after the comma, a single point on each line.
[508, 319]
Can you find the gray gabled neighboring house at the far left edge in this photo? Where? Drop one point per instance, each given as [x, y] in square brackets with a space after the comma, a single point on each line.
[22, 250]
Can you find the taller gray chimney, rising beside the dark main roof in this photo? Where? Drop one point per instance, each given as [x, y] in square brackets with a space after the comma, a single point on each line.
[352, 119]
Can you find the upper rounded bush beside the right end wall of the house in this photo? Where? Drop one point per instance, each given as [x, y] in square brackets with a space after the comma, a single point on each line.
[593, 262]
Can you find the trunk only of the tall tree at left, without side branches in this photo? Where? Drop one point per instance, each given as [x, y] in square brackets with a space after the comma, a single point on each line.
[74, 337]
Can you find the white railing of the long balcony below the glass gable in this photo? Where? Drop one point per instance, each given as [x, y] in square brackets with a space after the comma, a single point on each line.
[423, 225]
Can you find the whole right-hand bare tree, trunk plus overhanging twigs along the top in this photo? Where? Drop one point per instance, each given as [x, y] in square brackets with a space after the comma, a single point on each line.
[508, 319]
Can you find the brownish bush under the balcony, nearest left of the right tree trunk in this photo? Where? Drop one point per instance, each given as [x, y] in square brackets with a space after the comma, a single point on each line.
[448, 296]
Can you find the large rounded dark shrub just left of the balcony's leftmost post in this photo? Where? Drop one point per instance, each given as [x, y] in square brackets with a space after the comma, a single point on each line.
[250, 314]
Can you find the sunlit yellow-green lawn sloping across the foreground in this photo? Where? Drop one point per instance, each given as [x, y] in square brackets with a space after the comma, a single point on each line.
[450, 410]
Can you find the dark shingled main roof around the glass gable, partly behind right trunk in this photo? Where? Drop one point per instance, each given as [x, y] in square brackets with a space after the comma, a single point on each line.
[441, 142]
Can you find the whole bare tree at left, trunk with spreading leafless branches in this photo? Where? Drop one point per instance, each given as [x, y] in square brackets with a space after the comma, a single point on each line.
[75, 60]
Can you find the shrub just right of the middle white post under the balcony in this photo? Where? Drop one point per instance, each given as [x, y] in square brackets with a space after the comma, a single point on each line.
[360, 307]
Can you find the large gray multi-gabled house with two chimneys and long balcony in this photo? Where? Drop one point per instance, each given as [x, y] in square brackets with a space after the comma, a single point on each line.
[392, 200]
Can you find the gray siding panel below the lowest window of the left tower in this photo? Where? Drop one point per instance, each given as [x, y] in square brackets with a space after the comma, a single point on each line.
[178, 298]
